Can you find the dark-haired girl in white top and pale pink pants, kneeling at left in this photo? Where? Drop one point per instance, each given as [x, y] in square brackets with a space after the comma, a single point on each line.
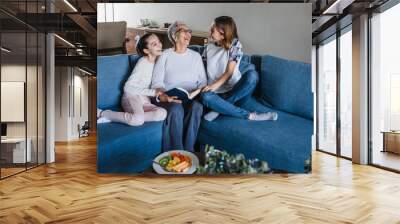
[135, 100]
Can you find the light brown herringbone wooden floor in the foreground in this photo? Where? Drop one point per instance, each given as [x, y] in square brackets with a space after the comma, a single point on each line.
[70, 191]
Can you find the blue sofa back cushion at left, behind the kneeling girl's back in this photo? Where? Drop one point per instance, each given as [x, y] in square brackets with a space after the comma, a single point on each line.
[112, 72]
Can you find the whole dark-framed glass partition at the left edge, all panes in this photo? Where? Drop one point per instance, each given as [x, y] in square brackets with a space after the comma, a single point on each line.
[22, 64]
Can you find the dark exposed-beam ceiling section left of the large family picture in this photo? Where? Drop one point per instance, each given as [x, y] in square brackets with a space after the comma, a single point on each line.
[74, 22]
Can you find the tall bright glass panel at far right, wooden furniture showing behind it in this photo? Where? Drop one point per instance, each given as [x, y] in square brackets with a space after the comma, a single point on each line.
[385, 88]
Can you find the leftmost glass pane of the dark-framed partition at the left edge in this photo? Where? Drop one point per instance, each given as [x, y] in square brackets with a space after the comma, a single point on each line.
[13, 93]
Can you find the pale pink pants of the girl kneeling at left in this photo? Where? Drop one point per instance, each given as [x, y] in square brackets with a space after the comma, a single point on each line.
[138, 109]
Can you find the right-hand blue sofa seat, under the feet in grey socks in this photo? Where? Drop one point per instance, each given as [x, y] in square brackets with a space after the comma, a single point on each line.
[285, 144]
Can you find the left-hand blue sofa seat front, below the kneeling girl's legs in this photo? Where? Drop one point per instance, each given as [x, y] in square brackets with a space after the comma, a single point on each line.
[127, 149]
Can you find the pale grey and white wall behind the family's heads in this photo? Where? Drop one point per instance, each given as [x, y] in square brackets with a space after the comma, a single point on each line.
[282, 30]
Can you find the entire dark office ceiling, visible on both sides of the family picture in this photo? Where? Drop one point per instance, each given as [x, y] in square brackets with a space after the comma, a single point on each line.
[76, 22]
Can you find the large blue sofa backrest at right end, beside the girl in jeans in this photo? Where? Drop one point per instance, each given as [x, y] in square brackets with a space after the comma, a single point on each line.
[286, 85]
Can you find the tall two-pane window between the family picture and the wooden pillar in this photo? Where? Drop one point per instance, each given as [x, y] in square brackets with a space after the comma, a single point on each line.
[333, 137]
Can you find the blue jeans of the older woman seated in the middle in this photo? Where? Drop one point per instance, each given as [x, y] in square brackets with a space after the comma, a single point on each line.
[181, 125]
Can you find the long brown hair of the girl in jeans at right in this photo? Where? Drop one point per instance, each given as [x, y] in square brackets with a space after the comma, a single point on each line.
[228, 26]
